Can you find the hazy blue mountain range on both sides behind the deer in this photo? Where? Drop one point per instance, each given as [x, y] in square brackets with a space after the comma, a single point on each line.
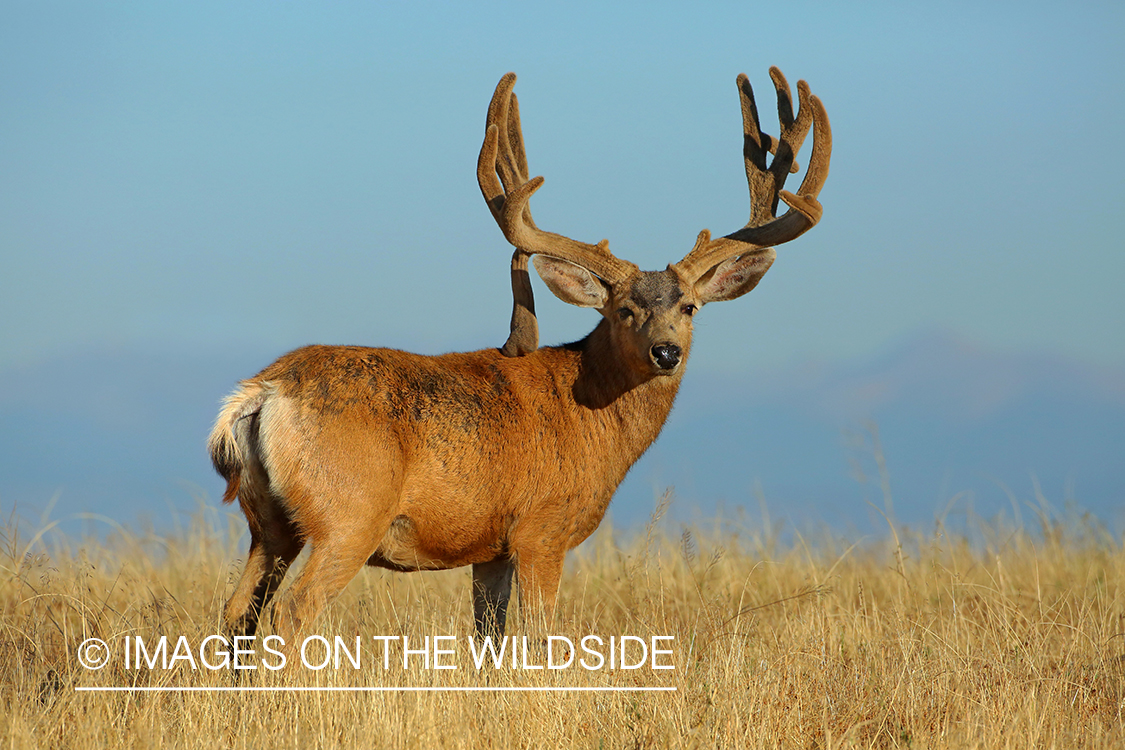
[122, 435]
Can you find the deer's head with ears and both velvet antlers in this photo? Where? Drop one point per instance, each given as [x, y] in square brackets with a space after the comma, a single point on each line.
[651, 312]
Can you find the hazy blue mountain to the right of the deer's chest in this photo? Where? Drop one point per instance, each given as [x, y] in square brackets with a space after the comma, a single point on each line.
[953, 422]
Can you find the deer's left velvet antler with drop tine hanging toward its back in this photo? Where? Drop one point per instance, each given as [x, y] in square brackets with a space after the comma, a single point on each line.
[502, 171]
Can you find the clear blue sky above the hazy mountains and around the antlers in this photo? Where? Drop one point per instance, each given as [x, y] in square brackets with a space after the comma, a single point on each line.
[190, 177]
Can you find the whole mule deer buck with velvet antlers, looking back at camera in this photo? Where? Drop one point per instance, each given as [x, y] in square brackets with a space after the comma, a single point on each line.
[501, 459]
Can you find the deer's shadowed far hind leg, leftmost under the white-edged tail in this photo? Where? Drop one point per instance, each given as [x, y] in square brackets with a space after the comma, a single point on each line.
[275, 543]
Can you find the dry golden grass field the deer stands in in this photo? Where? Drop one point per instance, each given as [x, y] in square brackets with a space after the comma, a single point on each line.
[921, 640]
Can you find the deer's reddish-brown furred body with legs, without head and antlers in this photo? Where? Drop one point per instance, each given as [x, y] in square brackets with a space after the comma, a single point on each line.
[416, 463]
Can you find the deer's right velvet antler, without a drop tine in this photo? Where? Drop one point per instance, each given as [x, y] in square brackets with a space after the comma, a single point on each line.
[767, 184]
